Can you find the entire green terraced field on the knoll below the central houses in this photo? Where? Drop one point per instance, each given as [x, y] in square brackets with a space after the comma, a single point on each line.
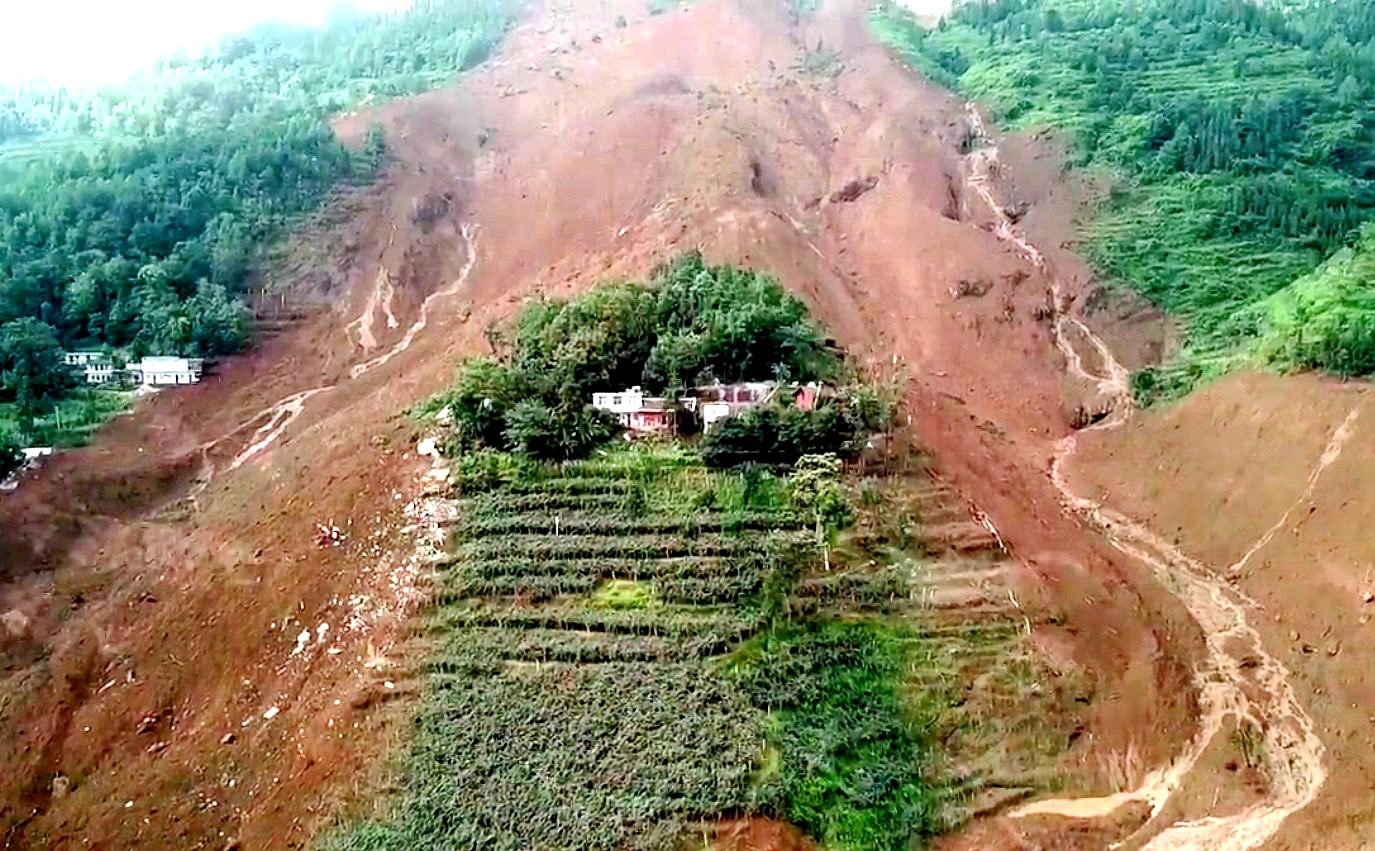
[628, 652]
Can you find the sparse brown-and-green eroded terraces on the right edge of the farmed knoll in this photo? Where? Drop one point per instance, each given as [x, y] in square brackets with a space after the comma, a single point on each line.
[991, 698]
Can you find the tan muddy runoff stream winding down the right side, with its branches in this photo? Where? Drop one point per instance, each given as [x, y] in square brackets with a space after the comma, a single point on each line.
[1238, 681]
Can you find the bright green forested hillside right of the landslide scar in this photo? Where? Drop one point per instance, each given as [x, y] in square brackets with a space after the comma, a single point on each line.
[1241, 142]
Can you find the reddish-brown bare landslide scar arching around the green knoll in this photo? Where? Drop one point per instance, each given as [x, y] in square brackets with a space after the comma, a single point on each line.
[151, 626]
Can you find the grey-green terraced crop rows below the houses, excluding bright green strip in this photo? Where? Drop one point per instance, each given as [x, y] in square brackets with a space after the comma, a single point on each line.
[577, 696]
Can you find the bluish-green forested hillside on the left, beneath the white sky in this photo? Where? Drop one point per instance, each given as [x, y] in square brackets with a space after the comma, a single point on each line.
[130, 218]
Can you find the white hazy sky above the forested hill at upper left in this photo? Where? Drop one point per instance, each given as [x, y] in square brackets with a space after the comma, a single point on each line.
[94, 42]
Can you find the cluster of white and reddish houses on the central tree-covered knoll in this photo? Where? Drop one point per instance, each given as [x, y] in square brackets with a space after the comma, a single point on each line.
[709, 406]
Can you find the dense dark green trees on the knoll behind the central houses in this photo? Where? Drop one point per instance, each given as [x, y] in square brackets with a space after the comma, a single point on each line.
[692, 324]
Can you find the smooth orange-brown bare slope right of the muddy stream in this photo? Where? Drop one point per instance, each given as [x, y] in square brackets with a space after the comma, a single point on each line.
[1230, 472]
